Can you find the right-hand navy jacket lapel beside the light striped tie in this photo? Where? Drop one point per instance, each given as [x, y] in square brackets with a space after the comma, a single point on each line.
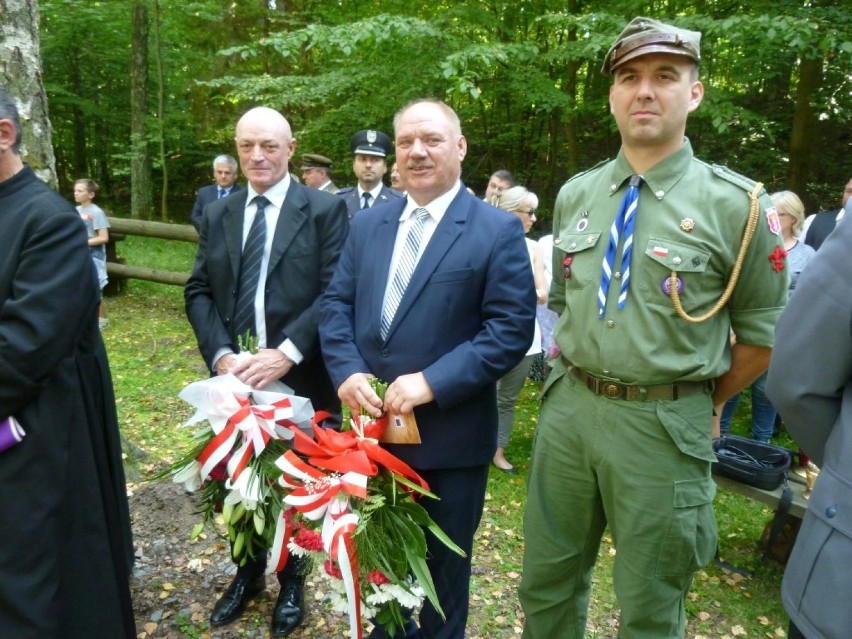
[446, 233]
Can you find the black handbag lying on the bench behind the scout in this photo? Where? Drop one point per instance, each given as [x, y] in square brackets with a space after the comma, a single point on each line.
[751, 462]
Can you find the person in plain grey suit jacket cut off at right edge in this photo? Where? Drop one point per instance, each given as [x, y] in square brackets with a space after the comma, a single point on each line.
[810, 382]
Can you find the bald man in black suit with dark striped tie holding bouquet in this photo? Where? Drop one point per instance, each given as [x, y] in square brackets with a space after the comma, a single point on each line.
[304, 233]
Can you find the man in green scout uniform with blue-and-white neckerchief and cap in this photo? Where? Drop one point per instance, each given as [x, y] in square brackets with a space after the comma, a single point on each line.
[646, 306]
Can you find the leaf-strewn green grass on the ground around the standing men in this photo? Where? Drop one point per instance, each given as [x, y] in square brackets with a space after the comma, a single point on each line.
[153, 356]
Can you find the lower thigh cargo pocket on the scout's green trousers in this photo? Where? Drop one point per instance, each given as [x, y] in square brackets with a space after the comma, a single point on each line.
[690, 539]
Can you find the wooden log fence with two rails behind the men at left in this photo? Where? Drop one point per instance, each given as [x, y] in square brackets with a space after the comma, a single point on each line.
[119, 272]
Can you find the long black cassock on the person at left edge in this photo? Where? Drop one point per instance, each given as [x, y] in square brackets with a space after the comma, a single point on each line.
[65, 543]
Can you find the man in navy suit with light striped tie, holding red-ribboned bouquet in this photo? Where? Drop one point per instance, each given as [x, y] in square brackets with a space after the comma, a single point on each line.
[465, 318]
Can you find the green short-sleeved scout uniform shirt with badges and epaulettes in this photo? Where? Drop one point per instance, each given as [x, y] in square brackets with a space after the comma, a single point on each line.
[690, 218]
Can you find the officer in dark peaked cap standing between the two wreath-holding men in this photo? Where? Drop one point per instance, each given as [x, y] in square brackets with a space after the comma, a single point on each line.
[371, 149]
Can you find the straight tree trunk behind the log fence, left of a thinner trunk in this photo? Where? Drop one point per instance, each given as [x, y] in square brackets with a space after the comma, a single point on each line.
[140, 163]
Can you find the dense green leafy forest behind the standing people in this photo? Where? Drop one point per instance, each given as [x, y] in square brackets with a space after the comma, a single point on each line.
[143, 94]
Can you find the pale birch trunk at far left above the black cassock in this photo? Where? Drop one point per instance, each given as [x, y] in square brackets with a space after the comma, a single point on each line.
[20, 74]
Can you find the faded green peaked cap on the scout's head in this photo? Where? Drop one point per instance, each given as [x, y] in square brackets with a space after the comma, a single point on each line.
[646, 35]
